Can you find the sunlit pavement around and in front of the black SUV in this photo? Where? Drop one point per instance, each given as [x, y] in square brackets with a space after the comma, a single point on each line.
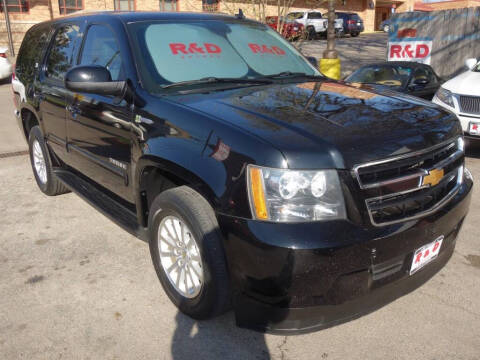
[75, 286]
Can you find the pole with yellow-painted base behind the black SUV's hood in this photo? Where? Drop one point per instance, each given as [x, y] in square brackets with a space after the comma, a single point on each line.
[330, 63]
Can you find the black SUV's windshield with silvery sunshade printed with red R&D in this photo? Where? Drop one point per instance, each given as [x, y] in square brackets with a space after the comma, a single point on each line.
[177, 52]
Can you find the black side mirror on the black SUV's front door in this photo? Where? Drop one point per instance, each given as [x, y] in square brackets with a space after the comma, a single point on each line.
[94, 80]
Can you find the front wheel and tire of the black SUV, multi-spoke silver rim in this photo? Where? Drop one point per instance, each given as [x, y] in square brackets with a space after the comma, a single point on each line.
[187, 252]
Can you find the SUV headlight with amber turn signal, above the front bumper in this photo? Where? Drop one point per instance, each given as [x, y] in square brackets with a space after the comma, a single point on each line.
[284, 195]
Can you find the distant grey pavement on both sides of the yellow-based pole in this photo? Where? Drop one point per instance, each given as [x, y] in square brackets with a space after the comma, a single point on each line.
[354, 52]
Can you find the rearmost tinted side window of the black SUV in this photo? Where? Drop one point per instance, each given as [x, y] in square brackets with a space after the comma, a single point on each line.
[30, 54]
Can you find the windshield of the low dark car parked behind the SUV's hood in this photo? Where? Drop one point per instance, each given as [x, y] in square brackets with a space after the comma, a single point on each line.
[397, 76]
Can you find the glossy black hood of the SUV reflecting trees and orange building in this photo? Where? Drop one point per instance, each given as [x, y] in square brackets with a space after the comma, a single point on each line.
[329, 124]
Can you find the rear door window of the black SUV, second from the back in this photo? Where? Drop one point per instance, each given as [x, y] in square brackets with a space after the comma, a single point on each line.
[61, 53]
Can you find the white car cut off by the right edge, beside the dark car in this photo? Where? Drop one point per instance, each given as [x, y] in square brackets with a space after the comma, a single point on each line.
[461, 95]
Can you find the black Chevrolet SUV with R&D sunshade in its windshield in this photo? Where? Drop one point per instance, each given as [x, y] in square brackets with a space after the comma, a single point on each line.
[258, 183]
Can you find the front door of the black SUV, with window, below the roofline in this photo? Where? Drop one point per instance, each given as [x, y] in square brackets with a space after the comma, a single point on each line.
[98, 127]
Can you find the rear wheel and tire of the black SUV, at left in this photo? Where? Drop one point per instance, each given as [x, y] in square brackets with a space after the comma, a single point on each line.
[42, 164]
